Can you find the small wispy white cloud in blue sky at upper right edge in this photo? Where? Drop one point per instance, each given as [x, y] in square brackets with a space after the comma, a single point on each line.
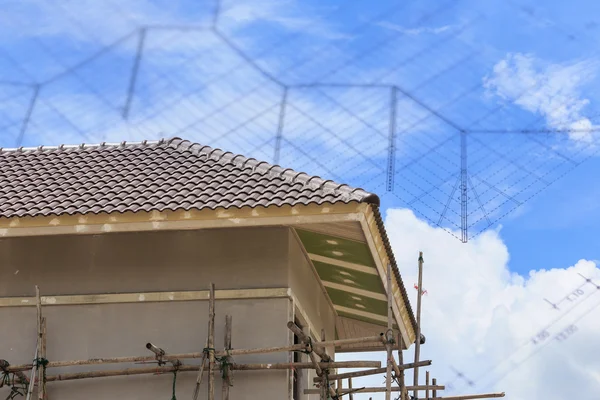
[553, 91]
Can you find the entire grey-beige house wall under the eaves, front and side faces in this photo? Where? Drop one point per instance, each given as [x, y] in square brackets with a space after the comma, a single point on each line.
[154, 261]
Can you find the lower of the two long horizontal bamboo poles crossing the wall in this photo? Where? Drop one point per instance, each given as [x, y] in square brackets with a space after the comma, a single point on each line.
[185, 368]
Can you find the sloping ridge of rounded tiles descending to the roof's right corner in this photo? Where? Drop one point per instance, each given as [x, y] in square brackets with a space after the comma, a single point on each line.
[287, 174]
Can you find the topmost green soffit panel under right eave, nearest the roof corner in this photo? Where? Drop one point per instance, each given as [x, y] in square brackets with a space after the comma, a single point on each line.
[336, 247]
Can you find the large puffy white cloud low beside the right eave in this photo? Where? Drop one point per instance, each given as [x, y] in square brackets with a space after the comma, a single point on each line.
[480, 318]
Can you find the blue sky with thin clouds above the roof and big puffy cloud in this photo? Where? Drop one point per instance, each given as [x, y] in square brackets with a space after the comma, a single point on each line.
[518, 77]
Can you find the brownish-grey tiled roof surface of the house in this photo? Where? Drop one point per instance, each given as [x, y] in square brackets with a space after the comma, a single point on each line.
[169, 174]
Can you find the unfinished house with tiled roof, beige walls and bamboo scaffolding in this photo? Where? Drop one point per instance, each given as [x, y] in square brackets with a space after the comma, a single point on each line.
[168, 269]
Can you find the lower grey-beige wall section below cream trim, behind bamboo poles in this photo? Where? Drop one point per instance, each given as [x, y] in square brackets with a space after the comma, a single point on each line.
[115, 330]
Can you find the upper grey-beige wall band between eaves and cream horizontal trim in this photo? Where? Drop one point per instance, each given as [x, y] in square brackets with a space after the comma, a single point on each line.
[148, 261]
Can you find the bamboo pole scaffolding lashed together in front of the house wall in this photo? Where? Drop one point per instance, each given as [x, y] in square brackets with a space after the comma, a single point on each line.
[328, 383]
